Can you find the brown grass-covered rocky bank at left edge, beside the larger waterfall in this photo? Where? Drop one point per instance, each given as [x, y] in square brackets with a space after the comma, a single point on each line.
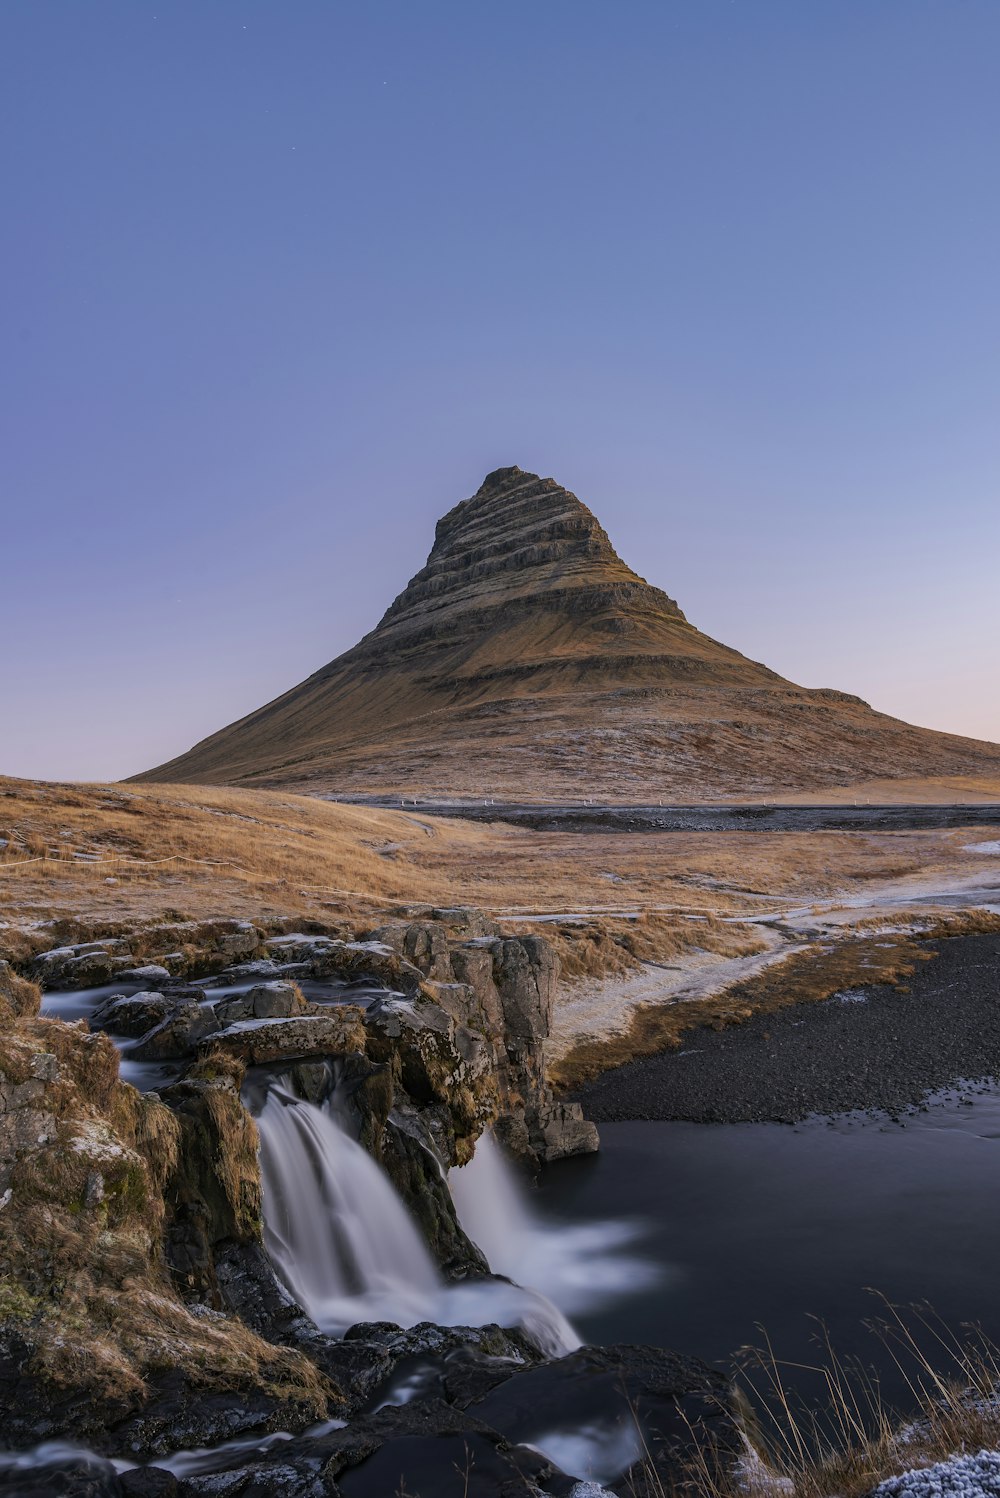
[97, 1338]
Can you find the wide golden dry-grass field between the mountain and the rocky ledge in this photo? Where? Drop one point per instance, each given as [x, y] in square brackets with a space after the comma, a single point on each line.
[100, 858]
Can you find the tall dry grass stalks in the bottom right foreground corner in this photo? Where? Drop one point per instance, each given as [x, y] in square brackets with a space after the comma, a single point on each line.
[851, 1440]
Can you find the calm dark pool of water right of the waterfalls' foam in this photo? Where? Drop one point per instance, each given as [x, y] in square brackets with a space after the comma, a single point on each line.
[769, 1226]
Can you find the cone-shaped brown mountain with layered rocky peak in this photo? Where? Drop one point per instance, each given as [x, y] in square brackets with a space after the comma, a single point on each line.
[528, 661]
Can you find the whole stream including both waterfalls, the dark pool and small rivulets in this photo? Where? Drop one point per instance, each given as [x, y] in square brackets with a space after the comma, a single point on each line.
[701, 1238]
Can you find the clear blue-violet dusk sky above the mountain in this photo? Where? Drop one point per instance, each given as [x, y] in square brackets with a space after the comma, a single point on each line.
[281, 284]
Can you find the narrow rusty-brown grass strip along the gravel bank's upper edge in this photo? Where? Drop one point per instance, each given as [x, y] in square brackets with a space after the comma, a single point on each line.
[808, 976]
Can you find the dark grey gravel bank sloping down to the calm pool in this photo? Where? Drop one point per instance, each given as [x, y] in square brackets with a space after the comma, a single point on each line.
[869, 1049]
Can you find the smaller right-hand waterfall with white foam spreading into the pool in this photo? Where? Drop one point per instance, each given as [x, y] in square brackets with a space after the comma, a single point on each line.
[579, 1267]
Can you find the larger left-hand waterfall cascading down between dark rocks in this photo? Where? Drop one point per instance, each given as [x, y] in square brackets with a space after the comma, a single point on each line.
[347, 1247]
